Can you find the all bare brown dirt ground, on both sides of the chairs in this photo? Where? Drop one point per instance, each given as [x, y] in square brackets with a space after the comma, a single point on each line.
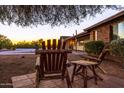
[15, 65]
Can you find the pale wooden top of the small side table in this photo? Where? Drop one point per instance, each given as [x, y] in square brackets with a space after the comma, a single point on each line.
[84, 62]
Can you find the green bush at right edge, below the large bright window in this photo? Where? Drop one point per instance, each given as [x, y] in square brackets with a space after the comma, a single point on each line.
[117, 47]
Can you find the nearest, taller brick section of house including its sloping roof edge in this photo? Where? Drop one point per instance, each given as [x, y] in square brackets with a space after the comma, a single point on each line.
[108, 29]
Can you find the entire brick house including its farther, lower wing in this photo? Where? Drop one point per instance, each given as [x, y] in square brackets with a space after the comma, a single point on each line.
[107, 30]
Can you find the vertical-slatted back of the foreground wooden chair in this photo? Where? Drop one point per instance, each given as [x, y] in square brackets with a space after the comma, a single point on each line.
[53, 62]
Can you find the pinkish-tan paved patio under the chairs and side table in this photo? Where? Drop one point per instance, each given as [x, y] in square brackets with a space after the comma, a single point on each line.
[28, 81]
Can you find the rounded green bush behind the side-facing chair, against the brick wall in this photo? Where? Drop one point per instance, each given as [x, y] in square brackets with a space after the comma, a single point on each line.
[94, 47]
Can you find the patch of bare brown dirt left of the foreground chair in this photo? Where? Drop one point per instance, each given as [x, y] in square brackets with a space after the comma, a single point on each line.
[15, 65]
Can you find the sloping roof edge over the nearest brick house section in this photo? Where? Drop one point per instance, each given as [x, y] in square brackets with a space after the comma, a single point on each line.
[106, 20]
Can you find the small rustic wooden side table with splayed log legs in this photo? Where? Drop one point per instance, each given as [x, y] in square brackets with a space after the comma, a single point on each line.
[84, 65]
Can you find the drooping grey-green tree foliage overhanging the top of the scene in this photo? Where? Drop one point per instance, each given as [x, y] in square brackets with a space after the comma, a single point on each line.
[28, 15]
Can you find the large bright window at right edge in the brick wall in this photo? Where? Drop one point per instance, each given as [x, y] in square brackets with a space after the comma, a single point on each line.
[118, 31]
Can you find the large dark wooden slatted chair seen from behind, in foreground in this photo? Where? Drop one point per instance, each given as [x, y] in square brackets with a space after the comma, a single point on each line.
[51, 63]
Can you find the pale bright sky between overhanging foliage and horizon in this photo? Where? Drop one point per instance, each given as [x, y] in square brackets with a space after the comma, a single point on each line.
[16, 33]
